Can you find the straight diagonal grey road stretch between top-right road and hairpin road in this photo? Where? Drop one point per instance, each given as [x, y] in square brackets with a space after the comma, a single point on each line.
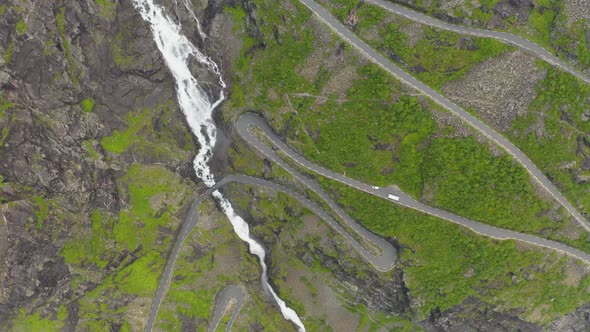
[484, 129]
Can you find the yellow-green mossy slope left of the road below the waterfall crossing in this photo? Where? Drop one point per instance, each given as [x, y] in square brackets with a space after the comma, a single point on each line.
[135, 242]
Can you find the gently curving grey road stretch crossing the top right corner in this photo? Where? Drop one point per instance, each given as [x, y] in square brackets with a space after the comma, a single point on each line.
[505, 37]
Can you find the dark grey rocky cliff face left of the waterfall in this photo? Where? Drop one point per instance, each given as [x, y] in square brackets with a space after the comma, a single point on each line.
[71, 74]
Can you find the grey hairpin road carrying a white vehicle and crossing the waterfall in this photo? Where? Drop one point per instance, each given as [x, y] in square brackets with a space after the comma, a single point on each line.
[388, 255]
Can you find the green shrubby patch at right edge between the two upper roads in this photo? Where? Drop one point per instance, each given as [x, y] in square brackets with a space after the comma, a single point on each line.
[558, 113]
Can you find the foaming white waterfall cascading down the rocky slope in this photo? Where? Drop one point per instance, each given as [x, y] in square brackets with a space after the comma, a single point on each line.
[194, 103]
